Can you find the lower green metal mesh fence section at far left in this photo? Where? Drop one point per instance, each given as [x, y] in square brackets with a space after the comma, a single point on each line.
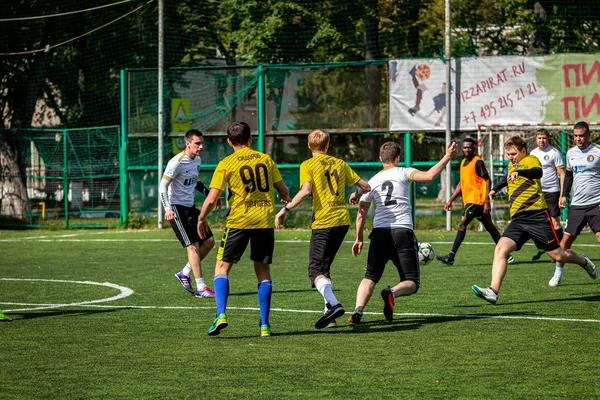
[64, 178]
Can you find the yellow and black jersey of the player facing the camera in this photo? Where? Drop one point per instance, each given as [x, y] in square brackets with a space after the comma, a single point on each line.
[525, 194]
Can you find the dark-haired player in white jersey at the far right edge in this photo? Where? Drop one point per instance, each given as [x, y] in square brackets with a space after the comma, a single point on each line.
[583, 176]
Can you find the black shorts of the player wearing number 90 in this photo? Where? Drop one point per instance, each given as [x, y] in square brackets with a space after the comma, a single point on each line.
[235, 241]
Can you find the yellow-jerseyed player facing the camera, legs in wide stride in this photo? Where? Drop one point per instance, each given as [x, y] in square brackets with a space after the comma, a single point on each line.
[530, 218]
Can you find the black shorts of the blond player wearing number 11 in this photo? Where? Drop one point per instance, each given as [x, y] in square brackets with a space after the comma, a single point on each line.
[324, 245]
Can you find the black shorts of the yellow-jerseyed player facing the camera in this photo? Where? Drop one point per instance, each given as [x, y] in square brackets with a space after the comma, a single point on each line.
[534, 225]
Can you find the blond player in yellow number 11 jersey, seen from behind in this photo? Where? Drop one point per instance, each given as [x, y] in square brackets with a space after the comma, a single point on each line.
[325, 178]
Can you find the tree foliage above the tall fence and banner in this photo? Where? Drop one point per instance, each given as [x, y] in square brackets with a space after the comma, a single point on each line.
[77, 76]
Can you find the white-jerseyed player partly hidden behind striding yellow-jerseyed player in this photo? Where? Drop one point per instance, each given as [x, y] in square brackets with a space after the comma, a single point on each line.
[552, 181]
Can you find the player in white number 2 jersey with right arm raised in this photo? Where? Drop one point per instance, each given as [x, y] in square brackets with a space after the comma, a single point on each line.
[392, 237]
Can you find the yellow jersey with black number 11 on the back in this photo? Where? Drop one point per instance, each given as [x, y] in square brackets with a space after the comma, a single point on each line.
[329, 177]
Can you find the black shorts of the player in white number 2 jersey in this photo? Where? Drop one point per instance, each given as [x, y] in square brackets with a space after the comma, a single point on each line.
[399, 245]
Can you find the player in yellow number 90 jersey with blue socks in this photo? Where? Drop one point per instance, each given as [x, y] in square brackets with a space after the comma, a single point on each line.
[251, 176]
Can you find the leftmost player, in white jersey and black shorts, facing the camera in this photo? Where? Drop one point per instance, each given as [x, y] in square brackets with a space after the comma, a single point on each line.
[176, 190]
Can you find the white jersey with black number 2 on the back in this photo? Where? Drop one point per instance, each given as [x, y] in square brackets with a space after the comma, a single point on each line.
[389, 192]
